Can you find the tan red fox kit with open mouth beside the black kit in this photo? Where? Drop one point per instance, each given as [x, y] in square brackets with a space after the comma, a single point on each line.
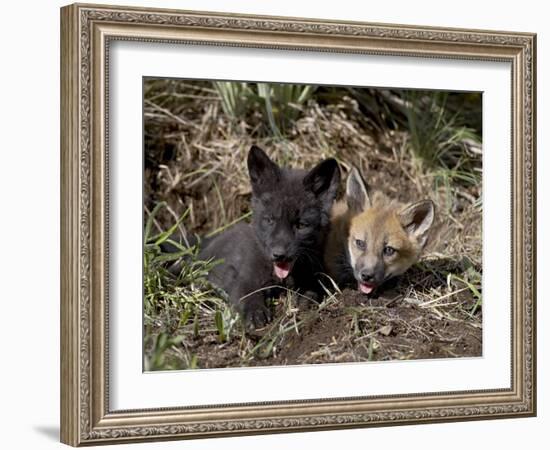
[373, 238]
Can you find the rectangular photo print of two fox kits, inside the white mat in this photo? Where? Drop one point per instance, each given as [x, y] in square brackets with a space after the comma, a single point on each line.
[289, 224]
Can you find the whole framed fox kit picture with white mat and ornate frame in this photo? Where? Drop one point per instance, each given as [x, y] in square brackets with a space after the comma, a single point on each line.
[277, 224]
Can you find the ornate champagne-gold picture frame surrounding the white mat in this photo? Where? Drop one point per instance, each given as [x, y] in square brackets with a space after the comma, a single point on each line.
[86, 31]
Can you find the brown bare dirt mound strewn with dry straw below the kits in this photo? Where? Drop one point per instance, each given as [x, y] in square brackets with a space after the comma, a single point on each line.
[355, 328]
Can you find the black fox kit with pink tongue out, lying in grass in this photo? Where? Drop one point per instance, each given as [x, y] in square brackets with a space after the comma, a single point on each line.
[283, 244]
